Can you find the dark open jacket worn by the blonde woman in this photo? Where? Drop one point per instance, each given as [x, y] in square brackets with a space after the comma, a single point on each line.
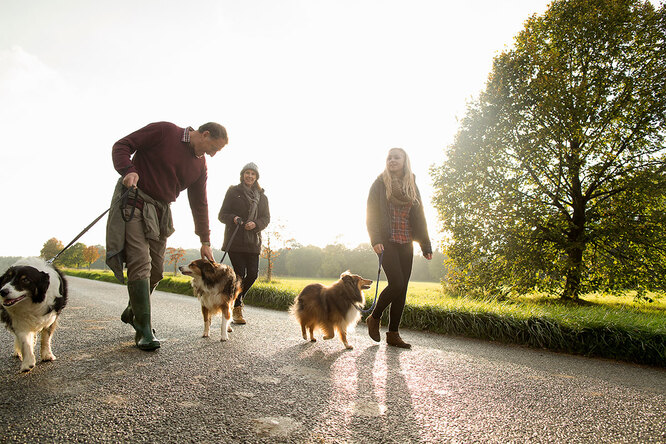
[378, 218]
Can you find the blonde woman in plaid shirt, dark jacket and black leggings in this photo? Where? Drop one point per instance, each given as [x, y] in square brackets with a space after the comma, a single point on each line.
[395, 219]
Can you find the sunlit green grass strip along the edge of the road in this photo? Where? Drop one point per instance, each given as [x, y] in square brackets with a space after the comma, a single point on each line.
[599, 325]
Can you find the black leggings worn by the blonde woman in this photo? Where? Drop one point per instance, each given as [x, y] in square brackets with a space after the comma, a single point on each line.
[397, 264]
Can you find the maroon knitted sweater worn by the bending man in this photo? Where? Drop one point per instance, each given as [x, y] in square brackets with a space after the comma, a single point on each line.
[166, 166]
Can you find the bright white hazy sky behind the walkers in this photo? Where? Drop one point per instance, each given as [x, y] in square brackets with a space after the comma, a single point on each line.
[313, 91]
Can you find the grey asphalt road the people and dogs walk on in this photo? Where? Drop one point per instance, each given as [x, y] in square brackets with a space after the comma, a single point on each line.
[266, 384]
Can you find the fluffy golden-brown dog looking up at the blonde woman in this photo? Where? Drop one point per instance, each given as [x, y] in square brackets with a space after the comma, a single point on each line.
[336, 307]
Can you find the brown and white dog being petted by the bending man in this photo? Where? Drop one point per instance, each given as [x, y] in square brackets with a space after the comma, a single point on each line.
[216, 287]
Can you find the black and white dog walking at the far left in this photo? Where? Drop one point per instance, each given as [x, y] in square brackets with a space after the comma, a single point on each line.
[33, 295]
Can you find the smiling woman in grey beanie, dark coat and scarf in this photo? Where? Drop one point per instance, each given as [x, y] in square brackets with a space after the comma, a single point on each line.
[244, 204]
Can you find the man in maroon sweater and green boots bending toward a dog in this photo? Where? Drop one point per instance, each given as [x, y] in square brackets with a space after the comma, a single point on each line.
[157, 162]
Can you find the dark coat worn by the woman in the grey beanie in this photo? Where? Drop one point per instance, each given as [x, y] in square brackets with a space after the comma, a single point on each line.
[236, 204]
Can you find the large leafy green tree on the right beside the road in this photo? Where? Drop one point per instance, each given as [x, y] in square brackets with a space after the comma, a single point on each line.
[555, 178]
